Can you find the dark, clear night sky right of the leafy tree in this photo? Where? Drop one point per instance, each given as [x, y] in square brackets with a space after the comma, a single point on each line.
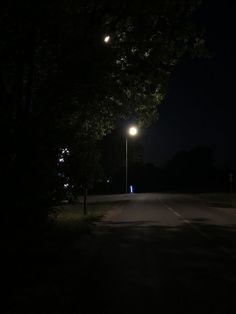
[200, 106]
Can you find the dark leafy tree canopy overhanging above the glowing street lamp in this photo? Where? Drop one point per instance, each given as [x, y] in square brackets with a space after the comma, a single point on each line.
[76, 73]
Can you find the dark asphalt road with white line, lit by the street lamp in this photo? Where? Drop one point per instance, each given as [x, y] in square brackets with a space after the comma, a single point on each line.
[153, 253]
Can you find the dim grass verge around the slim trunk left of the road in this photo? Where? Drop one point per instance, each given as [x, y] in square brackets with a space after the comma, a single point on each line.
[67, 224]
